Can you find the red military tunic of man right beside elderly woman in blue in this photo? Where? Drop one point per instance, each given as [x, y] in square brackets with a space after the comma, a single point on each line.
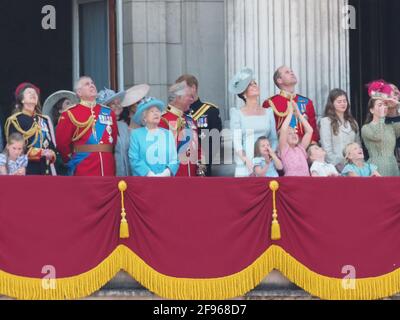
[189, 152]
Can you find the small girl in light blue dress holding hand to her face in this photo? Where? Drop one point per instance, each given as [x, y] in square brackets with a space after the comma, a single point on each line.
[266, 161]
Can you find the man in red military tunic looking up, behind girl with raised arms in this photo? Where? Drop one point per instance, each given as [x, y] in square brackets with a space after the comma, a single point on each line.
[286, 81]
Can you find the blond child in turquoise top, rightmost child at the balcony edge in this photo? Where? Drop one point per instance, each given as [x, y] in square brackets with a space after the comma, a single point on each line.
[356, 166]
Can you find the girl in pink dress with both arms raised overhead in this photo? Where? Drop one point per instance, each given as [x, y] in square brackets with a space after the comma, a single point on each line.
[292, 150]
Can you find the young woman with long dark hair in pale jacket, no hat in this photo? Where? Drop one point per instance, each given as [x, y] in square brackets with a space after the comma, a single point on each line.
[338, 128]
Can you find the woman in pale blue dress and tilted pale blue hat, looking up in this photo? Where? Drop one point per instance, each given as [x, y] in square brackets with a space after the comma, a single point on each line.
[250, 122]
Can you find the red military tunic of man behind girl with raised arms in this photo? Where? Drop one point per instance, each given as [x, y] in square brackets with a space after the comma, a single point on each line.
[279, 104]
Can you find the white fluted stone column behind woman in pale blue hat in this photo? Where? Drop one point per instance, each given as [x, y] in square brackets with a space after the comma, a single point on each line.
[304, 34]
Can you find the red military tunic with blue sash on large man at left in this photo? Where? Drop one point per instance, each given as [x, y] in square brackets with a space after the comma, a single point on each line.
[76, 126]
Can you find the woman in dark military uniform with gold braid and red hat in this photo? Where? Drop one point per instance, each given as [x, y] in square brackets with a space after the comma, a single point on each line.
[36, 129]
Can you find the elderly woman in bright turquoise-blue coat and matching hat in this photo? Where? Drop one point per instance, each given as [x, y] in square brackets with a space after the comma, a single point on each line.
[152, 150]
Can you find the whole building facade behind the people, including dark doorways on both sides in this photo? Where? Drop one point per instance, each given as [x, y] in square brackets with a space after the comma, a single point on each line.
[125, 42]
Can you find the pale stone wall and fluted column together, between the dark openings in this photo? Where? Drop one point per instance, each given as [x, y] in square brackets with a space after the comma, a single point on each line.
[213, 39]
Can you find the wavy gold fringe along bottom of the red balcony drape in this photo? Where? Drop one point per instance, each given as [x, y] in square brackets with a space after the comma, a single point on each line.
[232, 286]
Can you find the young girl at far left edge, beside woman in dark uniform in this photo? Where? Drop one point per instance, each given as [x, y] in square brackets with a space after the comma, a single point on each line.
[13, 161]
